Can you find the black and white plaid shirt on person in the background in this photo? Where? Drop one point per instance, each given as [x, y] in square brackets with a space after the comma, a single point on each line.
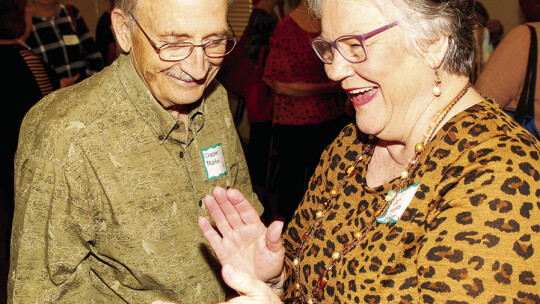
[67, 49]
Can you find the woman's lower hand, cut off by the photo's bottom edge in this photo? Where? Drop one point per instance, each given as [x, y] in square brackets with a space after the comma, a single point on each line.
[250, 289]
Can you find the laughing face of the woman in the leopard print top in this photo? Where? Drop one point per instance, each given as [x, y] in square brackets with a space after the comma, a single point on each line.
[384, 88]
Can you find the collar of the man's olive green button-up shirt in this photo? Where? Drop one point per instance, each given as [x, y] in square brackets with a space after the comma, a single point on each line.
[161, 122]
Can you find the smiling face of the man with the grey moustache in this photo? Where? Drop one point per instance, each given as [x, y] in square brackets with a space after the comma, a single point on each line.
[172, 21]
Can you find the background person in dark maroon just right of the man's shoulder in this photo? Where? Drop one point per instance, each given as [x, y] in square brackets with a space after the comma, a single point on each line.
[241, 73]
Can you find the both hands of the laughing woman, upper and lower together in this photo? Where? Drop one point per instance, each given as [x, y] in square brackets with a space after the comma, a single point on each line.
[252, 255]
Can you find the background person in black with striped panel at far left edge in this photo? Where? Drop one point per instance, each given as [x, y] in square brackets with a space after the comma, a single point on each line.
[25, 80]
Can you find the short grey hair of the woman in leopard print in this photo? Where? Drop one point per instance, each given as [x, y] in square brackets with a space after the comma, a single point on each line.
[424, 21]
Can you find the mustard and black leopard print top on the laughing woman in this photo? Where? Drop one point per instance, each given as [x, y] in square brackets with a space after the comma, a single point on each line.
[471, 234]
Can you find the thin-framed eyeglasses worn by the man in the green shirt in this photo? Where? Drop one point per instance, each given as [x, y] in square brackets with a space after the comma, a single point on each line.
[180, 51]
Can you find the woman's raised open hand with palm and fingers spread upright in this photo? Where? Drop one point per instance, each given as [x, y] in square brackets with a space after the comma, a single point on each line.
[243, 241]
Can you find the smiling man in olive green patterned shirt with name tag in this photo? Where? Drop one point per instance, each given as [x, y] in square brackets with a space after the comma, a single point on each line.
[110, 173]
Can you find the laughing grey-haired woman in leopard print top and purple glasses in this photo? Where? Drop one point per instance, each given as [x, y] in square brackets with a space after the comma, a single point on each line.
[433, 196]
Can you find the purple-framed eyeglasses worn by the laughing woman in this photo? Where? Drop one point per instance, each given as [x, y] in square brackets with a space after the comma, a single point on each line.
[351, 47]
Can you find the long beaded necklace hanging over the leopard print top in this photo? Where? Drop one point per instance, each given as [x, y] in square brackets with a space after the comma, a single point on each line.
[358, 236]
